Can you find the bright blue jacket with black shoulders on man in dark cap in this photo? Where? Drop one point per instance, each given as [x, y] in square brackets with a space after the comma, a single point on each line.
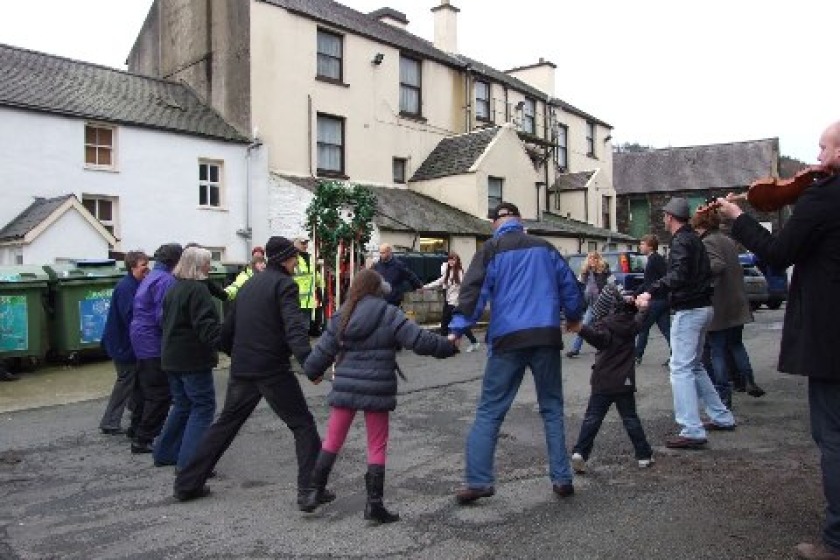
[529, 286]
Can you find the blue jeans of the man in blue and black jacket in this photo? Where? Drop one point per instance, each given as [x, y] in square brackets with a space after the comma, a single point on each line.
[502, 377]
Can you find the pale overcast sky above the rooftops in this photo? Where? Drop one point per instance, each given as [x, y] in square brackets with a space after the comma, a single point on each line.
[662, 72]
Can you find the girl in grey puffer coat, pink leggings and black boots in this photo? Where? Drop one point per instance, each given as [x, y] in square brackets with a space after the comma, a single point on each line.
[362, 339]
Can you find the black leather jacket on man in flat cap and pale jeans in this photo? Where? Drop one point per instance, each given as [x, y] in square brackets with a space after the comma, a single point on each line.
[688, 282]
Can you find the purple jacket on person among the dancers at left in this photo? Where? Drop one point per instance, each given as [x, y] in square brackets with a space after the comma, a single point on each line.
[147, 323]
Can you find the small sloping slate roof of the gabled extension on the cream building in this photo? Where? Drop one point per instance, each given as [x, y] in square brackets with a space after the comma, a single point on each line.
[455, 155]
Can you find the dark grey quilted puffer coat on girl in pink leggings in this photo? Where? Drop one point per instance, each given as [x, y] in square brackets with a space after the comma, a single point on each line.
[366, 355]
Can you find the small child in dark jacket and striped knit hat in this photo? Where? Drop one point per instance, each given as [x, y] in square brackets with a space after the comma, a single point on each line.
[616, 322]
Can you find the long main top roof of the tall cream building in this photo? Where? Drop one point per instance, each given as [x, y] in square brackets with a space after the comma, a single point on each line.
[367, 25]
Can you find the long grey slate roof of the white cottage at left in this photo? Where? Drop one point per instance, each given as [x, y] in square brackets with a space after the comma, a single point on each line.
[52, 84]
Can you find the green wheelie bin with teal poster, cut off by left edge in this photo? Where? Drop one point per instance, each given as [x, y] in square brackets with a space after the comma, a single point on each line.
[23, 314]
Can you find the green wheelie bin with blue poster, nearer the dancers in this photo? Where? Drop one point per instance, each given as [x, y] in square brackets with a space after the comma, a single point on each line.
[80, 295]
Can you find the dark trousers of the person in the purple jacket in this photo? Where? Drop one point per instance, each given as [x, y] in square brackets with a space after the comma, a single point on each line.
[152, 390]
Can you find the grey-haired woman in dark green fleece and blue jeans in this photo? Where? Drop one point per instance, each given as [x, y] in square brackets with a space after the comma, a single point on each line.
[191, 331]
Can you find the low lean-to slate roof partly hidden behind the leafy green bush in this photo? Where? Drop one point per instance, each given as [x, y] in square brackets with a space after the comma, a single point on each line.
[405, 210]
